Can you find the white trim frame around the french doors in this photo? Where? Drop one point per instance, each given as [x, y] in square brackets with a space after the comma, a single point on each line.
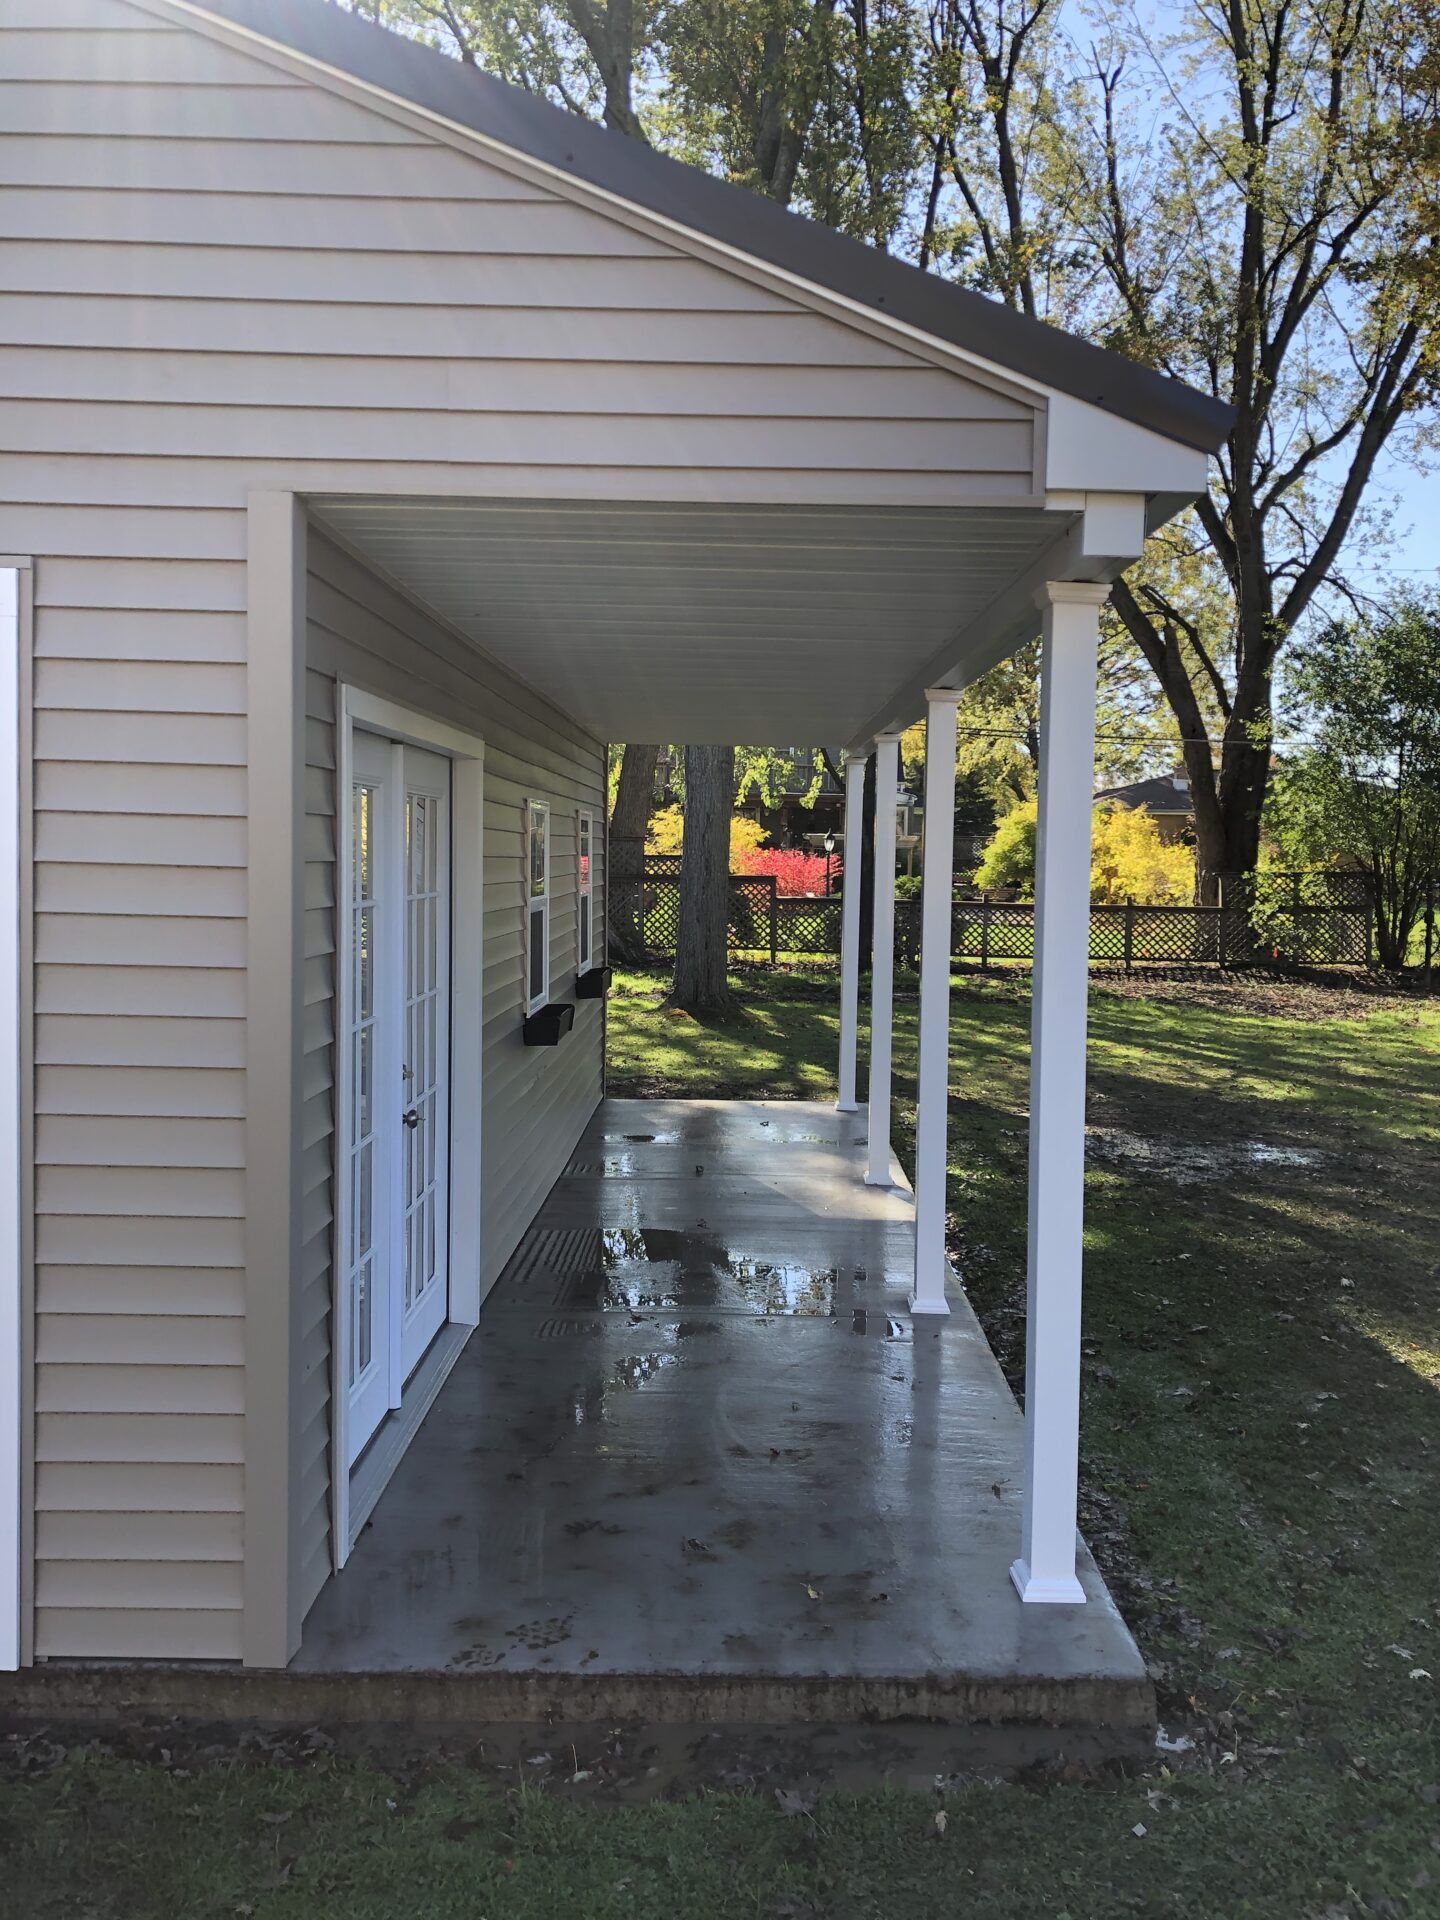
[354, 1495]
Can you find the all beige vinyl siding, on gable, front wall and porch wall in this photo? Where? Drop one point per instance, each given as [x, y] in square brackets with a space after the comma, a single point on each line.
[218, 277]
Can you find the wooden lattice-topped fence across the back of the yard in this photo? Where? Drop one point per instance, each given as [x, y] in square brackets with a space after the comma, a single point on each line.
[1255, 930]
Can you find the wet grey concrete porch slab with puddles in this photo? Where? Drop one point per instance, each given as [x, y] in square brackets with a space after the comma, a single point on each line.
[700, 1462]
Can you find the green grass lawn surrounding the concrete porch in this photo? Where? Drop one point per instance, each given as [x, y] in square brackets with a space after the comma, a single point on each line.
[1262, 1487]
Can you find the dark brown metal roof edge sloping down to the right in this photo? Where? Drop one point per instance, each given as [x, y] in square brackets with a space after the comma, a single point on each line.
[732, 216]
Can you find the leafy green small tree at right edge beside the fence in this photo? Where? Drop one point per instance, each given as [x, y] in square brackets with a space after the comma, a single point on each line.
[1366, 788]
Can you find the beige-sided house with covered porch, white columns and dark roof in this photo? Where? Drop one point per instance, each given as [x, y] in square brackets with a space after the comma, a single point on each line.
[381, 443]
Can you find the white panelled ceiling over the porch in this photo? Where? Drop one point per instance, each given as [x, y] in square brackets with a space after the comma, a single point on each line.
[709, 623]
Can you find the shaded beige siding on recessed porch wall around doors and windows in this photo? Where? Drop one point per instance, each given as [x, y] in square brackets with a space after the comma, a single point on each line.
[535, 1101]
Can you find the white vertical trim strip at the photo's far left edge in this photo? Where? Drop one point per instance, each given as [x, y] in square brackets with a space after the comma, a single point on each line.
[14, 629]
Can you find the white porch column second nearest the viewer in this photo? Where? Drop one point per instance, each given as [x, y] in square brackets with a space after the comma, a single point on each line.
[934, 1051]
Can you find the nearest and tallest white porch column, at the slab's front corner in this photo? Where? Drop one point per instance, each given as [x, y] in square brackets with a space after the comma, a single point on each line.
[1045, 1570]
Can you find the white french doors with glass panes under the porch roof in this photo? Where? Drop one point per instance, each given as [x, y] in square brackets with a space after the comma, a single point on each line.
[396, 917]
